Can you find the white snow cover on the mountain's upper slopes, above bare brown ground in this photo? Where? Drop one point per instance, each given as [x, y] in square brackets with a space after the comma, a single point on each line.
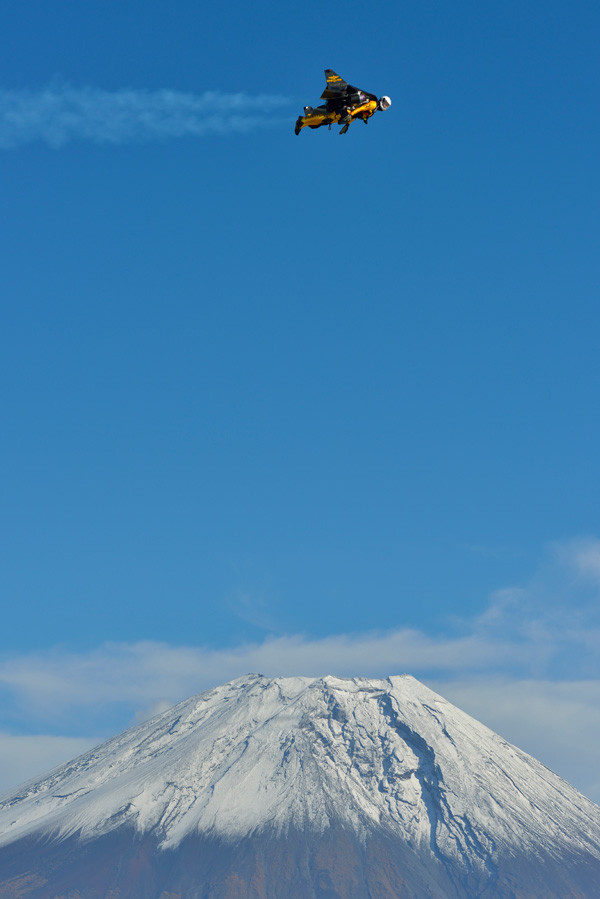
[303, 752]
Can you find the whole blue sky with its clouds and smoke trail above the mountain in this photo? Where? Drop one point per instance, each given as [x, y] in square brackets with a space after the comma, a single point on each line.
[306, 403]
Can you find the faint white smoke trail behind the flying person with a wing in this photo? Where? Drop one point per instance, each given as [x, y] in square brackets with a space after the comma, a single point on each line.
[60, 113]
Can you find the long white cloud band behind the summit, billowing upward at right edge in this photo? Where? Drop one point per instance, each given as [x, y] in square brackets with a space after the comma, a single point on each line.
[525, 632]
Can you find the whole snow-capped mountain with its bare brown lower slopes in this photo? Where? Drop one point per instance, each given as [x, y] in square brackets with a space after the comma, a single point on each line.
[299, 787]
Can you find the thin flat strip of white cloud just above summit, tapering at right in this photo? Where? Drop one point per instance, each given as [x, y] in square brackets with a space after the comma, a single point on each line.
[53, 683]
